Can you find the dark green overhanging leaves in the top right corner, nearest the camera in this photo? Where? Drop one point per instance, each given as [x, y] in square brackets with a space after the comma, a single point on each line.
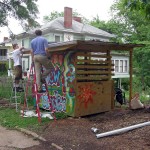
[141, 5]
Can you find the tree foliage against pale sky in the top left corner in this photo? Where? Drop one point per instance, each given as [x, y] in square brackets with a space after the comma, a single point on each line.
[23, 10]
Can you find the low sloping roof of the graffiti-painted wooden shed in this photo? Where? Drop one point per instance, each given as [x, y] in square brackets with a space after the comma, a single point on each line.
[97, 46]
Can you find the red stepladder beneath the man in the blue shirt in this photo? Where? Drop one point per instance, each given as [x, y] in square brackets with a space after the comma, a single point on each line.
[31, 82]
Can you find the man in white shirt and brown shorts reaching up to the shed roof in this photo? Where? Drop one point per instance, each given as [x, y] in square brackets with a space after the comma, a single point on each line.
[17, 58]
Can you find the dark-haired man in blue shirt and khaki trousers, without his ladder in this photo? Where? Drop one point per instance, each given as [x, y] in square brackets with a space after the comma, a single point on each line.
[39, 54]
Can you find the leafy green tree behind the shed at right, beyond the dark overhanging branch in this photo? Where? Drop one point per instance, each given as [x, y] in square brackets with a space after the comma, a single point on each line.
[139, 28]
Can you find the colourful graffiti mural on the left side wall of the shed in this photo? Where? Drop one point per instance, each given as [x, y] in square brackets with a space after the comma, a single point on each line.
[60, 84]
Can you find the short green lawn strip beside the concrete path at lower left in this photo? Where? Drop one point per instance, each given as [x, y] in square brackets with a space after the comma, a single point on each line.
[12, 119]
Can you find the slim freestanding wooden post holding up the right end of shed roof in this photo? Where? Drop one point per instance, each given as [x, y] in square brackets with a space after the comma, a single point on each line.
[131, 73]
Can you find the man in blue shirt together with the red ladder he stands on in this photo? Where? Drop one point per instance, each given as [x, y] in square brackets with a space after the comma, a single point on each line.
[39, 52]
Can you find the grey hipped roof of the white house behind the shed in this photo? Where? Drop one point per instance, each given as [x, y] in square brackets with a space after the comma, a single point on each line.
[77, 27]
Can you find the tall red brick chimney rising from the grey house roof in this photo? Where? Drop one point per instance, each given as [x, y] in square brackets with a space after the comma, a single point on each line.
[67, 17]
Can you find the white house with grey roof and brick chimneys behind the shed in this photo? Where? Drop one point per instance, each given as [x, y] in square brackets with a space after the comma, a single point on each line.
[70, 28]
